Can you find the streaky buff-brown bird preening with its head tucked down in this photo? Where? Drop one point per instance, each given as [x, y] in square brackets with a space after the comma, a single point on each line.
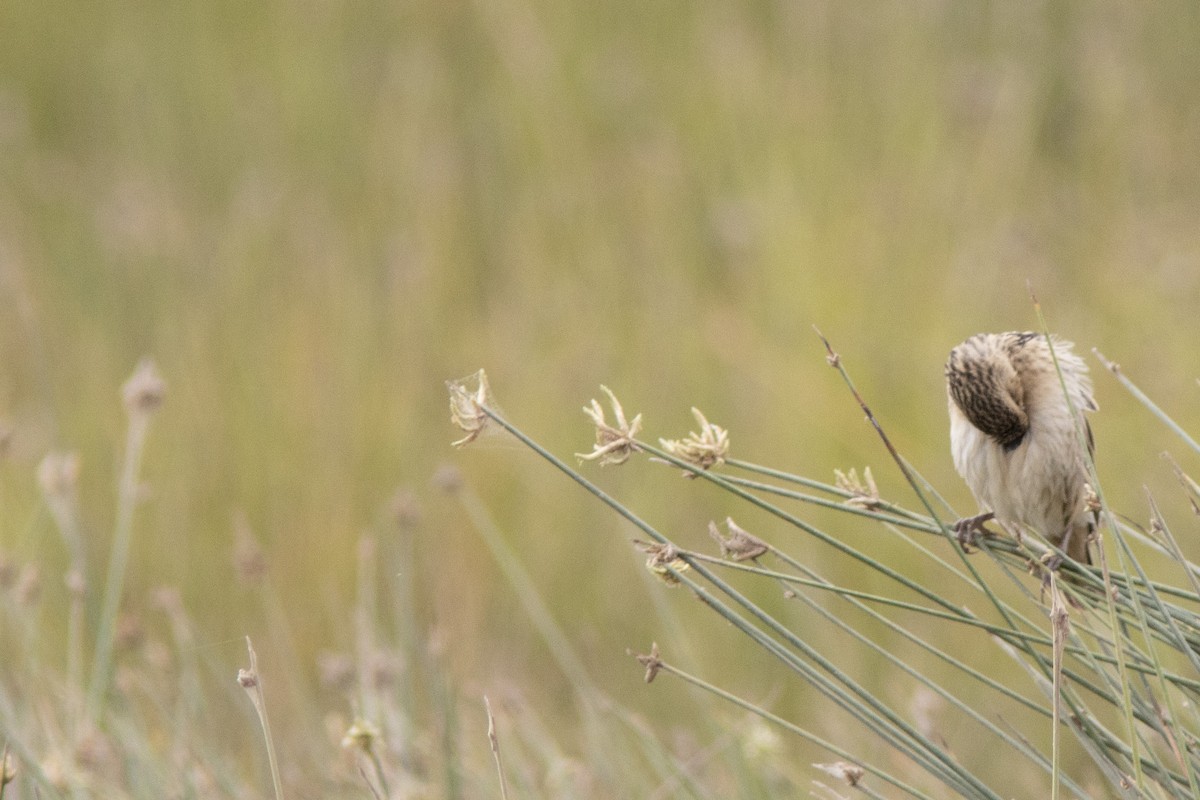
[1015, 441]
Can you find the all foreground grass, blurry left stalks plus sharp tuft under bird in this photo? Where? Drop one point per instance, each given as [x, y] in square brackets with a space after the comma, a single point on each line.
[1079, 681]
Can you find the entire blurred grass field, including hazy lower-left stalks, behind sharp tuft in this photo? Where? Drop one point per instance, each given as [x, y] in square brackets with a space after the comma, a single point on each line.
[313, 216]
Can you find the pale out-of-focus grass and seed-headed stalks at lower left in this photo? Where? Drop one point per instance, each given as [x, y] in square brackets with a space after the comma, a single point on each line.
[167, 719]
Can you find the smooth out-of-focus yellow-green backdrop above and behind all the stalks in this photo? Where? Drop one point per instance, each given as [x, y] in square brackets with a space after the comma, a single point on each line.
[313, 215]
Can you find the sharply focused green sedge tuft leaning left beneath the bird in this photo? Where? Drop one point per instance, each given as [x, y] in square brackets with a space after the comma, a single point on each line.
[1100, 646]
